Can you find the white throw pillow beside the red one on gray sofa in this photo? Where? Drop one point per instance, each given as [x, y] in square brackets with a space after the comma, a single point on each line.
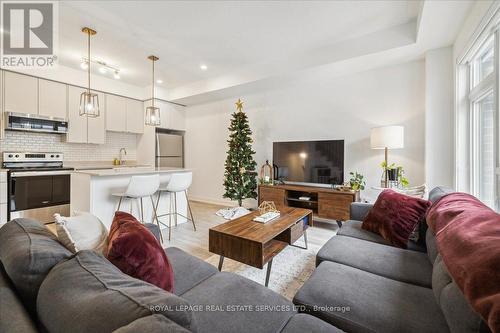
[83, 231]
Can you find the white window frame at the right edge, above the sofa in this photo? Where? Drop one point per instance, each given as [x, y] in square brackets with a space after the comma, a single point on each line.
[466, 135]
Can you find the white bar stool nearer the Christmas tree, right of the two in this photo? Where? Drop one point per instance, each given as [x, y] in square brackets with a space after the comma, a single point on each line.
[179, 182]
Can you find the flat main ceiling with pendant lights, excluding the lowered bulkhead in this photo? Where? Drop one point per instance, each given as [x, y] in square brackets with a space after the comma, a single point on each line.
[227, 36]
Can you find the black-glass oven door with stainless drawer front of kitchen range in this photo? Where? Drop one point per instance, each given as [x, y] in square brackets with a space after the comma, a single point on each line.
[38, 196]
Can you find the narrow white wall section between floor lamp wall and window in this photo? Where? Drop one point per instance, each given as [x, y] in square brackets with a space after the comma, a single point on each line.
[439, 161]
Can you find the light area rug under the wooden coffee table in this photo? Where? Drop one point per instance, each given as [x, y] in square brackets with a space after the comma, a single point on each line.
[291, 268]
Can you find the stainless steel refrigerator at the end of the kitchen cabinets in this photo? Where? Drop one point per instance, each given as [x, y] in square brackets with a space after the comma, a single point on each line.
[169, 149]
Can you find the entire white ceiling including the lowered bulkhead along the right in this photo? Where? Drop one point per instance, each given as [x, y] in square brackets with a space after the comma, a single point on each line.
[249, 44]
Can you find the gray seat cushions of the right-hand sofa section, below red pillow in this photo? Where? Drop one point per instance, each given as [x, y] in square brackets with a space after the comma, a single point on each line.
[362, 284]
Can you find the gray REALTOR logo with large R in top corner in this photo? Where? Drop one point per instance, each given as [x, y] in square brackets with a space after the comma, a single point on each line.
[28, 33]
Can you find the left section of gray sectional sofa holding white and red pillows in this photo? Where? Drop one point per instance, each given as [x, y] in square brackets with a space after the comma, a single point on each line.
[43, 287]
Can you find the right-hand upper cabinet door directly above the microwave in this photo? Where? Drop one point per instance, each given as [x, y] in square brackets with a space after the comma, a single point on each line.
[53, 99]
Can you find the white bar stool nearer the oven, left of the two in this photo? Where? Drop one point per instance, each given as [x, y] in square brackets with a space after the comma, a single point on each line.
[138, 188]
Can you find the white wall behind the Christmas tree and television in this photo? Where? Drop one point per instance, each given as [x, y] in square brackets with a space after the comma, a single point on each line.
[339, 108]
